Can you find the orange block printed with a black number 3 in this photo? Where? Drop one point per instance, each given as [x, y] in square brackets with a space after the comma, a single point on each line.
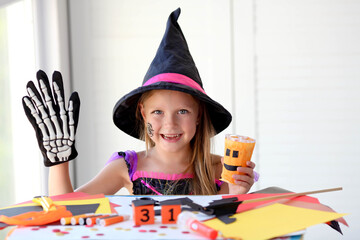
[143, 212]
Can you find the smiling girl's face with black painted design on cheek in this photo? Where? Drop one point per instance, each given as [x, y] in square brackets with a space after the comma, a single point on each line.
[171, 118]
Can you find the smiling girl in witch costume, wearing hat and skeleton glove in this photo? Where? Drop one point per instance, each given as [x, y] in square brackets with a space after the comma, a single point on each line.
[170, 111]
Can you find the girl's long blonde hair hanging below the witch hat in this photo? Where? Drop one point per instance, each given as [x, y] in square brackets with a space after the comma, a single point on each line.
[201, 163]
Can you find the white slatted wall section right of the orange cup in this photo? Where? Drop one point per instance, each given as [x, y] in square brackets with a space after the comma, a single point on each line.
[307, 100]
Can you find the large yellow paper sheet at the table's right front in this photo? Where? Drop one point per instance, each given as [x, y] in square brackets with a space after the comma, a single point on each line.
[271, 221]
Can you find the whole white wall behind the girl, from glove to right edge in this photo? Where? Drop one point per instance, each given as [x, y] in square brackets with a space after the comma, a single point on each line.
[287, 70]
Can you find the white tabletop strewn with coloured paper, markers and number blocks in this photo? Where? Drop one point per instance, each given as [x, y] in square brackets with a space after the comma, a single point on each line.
[277, 212]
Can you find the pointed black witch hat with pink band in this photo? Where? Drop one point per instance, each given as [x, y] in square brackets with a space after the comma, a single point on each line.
[173, 68]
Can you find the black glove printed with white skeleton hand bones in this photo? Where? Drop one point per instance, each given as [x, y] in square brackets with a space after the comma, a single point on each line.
[55, 126]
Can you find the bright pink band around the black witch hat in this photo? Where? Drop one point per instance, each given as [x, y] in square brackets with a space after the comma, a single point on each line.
[175, 78]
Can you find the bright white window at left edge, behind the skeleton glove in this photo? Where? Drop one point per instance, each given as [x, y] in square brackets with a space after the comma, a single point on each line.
[20, 168]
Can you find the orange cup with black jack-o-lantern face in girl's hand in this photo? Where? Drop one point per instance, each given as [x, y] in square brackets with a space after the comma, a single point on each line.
[238, 150]
